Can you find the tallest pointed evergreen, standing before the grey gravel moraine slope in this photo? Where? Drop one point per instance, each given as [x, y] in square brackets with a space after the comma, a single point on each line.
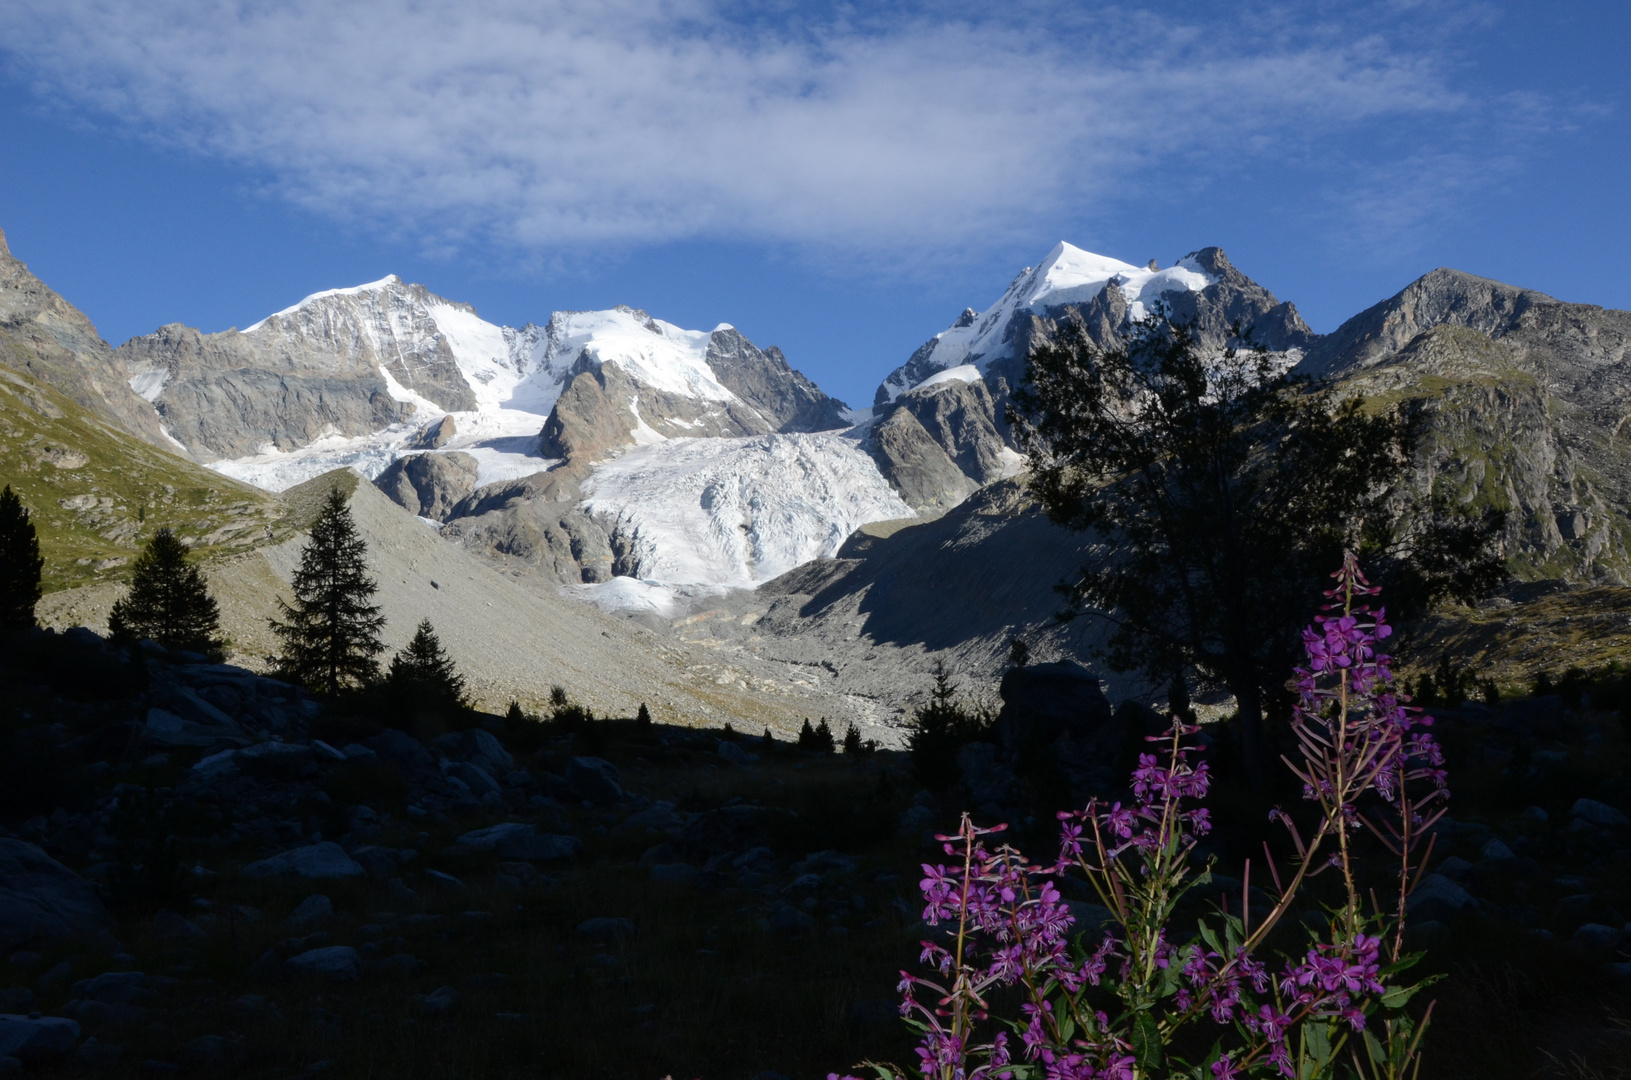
[332, 634]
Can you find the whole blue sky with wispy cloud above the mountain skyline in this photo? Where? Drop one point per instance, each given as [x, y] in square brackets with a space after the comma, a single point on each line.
[836, 180]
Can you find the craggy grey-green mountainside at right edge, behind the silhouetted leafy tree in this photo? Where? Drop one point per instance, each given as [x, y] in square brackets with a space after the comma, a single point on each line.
[1529, 420]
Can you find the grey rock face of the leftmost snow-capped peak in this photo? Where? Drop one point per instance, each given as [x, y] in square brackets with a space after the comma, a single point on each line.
[316, 370]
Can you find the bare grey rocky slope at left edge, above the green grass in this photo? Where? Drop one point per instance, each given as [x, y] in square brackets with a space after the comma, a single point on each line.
[51, 340]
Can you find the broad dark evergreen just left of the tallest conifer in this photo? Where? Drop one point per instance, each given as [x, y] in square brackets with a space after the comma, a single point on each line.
[169, 601]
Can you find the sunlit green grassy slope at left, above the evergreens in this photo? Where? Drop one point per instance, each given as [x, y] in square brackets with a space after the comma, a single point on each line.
[97, 495]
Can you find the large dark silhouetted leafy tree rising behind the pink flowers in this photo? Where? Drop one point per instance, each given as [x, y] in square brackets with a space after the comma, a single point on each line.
[1229, 492]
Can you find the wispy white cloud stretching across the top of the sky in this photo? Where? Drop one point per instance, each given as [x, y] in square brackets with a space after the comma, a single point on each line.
[562, 123]
